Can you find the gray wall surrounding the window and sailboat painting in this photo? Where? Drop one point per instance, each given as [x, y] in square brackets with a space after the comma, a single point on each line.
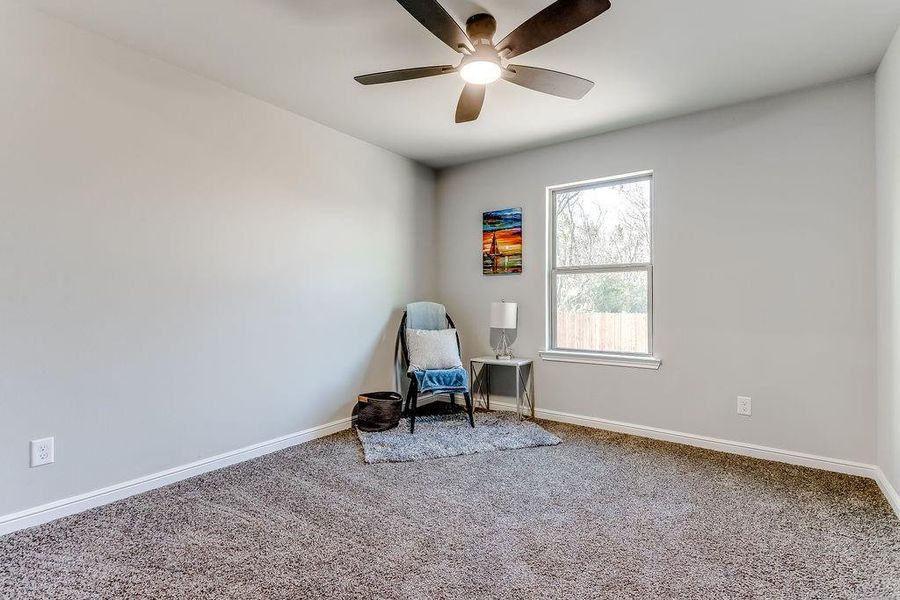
[764, 270]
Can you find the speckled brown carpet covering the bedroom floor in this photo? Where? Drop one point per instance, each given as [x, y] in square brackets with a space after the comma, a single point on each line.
[600, 516]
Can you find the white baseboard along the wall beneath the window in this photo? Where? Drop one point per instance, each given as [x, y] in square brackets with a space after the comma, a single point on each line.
[701, 441]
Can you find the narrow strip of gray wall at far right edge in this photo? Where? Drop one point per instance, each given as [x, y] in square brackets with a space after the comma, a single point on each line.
[888, 167]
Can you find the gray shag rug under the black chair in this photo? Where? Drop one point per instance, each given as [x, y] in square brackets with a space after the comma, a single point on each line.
[440, 436]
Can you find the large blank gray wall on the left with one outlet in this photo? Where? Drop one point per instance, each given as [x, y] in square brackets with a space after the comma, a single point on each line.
[184, 270]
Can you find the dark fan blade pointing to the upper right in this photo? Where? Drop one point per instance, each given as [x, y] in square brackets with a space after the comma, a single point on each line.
[556, 20]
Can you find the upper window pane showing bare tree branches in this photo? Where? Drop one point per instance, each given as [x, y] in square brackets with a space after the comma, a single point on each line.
[607, 225]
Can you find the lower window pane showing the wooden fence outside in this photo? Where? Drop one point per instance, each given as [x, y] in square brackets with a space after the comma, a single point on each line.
[603, 312]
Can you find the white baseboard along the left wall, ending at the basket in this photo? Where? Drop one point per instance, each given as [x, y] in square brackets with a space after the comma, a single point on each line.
[75, 504]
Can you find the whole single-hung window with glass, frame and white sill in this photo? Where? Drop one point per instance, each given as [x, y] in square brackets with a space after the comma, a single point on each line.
[600, 280]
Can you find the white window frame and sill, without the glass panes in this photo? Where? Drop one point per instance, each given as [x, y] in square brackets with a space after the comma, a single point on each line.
[643, 360]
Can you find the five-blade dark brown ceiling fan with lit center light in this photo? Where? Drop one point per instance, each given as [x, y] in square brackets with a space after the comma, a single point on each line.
[483, 61]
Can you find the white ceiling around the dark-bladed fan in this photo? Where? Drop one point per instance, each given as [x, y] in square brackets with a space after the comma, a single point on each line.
[650, 58]
